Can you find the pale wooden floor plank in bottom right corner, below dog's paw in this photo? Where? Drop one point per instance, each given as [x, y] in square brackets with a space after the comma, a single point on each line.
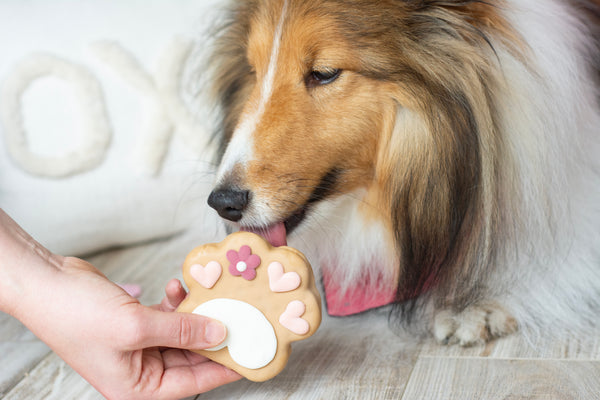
[443, 378]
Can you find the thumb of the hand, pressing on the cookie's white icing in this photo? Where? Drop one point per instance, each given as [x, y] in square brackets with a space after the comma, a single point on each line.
[178, 330]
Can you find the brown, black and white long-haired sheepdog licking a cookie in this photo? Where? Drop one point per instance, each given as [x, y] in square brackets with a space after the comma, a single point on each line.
[442, 155]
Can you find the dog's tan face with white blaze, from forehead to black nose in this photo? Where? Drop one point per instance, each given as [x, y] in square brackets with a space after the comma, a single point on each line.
[308, 128]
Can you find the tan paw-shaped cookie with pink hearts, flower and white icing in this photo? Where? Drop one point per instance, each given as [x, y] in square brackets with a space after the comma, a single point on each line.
[266, 297]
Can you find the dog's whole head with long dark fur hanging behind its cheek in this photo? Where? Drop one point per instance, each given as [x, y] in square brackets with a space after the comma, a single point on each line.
[324, 97]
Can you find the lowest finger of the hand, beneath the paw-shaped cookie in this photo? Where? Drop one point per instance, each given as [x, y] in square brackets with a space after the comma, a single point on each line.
[186, 381]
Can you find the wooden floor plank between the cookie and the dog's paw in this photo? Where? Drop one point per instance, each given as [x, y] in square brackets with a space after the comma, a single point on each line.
[348, 358]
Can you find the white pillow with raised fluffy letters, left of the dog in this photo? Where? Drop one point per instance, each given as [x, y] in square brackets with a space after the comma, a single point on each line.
[103, 138]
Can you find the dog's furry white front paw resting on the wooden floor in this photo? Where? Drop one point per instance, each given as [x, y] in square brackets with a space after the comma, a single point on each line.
[474, 325]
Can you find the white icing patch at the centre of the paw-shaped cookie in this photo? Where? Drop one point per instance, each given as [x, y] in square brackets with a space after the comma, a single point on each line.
[250, 337]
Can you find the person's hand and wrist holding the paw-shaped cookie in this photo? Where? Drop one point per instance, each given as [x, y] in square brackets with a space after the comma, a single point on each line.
[124, 349]
